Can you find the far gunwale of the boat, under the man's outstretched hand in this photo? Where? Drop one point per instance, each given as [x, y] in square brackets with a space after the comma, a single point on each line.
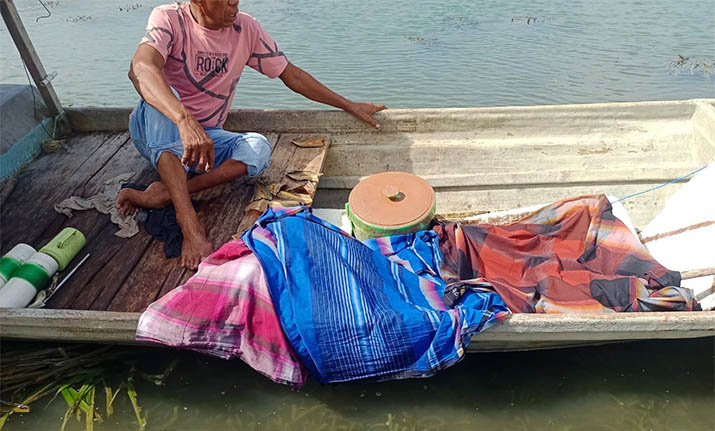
[115, 119]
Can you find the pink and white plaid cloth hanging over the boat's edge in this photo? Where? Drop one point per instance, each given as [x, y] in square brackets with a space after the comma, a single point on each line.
[225, 310]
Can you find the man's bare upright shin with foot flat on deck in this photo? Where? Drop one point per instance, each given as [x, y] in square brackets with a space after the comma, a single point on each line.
[195, 246]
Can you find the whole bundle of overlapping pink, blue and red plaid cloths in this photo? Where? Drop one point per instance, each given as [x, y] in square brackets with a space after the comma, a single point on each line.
[297, 292]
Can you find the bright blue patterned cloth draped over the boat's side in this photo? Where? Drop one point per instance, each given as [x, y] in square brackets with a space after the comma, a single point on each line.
[354, 310]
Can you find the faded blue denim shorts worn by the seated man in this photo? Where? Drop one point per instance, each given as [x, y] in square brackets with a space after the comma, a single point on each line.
[153, 134]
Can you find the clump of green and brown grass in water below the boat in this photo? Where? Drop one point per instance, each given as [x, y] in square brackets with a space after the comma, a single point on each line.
[75, 374]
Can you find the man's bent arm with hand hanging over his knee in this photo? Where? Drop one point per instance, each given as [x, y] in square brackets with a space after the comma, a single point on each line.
[146, 74]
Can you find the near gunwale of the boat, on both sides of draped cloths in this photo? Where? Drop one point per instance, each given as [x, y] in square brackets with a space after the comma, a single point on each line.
[516, 331]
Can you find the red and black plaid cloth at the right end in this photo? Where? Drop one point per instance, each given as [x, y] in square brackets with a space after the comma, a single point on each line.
[570, 256]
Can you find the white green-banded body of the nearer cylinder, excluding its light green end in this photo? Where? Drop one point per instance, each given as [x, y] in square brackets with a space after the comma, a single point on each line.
[19, 292]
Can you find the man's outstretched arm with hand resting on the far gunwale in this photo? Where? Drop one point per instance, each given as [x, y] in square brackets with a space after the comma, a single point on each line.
[303, 83]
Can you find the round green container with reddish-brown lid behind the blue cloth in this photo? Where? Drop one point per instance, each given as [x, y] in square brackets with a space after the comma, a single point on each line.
[390, 203]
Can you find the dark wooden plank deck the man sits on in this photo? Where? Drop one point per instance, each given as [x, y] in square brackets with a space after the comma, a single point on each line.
[121, 274]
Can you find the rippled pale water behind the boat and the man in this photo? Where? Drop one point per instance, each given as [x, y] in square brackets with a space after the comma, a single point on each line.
[409, 53]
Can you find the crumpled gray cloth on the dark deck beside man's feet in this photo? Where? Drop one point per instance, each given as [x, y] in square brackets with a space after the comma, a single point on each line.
[104, 203]
